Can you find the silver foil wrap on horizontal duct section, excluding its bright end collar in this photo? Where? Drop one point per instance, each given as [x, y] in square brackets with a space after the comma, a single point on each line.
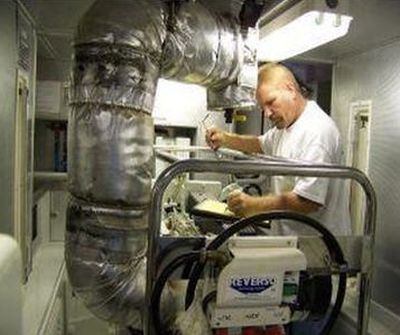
[201, 48]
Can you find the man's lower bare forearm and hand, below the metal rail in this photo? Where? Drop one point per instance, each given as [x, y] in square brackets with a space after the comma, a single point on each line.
[246, 205]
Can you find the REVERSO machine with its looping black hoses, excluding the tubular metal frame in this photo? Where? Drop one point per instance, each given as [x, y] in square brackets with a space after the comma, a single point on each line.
[253, 283]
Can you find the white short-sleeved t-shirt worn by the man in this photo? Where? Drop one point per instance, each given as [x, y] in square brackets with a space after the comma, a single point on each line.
[313, 137]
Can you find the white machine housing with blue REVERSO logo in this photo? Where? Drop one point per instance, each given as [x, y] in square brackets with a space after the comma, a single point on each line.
[255, 288]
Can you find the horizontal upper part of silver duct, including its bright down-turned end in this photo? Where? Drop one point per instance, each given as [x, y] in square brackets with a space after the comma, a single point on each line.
[209, 49]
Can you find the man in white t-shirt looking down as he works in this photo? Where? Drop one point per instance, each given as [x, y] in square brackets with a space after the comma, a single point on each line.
[302, 131]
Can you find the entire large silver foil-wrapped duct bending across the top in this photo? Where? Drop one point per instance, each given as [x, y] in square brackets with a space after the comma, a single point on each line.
[122, 47]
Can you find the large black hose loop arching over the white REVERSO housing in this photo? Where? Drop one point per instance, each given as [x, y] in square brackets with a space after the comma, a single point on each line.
[329, 239]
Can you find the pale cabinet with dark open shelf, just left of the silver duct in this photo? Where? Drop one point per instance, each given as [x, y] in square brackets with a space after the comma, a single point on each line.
[50, 154]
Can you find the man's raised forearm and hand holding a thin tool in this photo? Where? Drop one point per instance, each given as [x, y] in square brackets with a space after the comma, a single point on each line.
[217, 138]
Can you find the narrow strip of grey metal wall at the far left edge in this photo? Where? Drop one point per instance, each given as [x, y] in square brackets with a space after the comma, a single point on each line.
[8, 59]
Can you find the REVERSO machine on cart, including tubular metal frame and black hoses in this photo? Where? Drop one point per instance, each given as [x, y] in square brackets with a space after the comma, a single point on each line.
[255, 284]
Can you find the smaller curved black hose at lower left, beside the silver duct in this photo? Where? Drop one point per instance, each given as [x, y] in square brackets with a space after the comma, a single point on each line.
[161, 281]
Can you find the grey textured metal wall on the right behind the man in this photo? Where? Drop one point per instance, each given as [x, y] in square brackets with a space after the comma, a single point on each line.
[375, 75]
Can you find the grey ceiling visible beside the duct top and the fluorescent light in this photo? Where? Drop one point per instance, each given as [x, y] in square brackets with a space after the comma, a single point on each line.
[374, 24]
